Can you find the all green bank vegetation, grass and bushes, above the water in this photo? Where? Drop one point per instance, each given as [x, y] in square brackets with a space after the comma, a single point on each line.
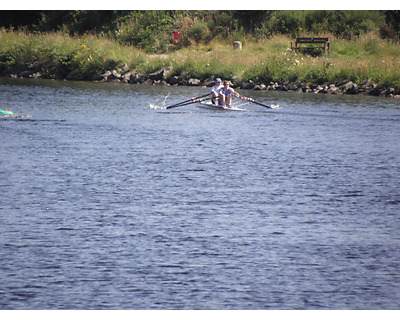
[364, 53]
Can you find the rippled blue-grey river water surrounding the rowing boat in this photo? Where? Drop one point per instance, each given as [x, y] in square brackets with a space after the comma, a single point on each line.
[108, 203]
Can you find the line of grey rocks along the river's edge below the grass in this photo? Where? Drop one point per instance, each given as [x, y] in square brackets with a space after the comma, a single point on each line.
[161, 77]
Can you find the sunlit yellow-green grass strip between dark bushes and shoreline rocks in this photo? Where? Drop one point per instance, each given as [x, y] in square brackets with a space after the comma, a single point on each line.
[54, 55]
